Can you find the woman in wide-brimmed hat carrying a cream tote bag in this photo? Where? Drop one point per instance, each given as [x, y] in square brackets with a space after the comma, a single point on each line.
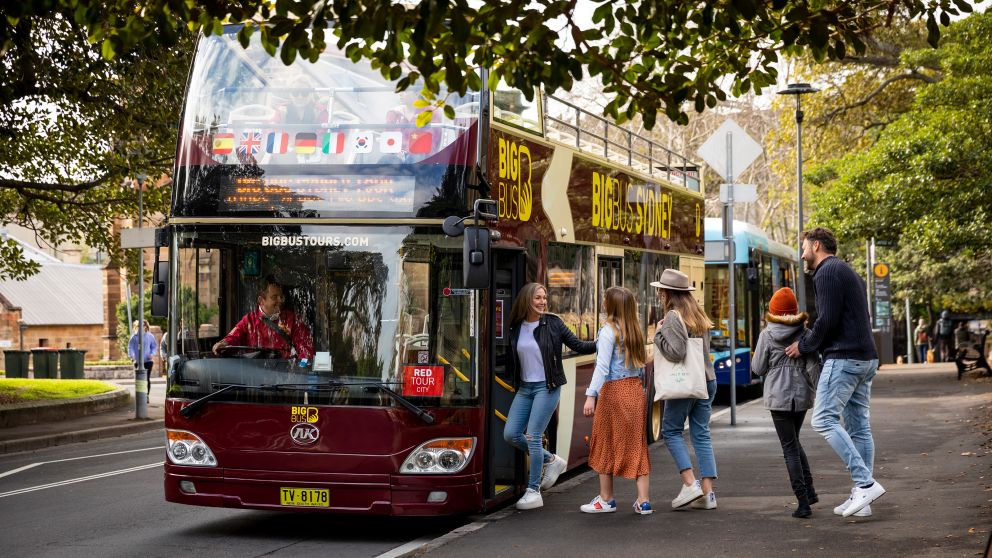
[670, 338]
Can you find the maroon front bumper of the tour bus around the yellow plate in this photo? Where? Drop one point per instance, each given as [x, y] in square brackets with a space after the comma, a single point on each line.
[428, 495]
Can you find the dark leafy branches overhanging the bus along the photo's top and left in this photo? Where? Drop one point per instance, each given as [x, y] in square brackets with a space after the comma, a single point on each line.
[91, 89]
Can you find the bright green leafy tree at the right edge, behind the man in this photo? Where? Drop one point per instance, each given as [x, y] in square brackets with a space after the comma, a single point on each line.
[927, 180]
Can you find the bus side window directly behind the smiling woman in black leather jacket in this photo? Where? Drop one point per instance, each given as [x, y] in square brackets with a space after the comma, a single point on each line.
[572, 287]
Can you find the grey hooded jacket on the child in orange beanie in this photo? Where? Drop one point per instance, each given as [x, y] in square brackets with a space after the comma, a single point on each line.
[786, 387]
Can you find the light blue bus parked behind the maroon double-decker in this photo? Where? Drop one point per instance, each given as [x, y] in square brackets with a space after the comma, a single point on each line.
[762, 266]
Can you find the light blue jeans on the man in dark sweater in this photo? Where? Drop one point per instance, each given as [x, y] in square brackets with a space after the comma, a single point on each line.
[845, 391]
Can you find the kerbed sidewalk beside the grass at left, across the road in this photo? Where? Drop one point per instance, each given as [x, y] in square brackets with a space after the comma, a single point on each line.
[110, 424]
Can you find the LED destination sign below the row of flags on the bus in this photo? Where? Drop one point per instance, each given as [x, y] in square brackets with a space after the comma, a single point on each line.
[326, 194]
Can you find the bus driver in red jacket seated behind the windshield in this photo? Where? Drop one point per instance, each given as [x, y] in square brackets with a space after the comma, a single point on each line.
[269, 326]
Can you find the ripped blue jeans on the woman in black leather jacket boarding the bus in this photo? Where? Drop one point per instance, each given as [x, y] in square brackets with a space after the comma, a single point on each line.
[532, 408]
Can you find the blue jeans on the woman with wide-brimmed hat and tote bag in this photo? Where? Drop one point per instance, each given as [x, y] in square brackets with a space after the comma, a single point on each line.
[698, 412]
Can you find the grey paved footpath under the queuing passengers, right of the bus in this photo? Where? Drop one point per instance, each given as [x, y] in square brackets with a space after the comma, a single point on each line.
[933, 454]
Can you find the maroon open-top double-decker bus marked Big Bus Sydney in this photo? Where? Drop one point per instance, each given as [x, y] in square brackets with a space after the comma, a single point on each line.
[393, 397]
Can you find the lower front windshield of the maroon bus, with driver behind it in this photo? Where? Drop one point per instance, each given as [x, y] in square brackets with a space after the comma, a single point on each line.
[356, 306]
